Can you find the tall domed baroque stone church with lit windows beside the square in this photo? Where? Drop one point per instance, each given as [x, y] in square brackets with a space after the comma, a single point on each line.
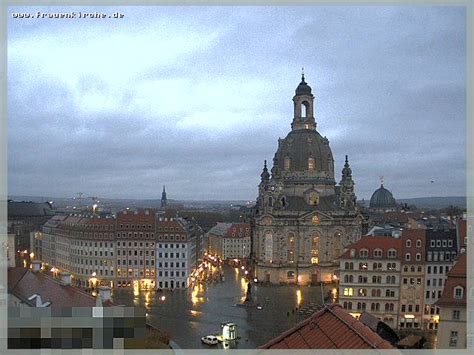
[303, 220]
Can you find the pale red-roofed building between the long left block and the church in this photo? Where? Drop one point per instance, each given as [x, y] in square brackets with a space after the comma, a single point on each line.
[230, 240]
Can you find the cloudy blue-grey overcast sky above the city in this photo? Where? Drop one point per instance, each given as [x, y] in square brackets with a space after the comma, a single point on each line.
[197, 97]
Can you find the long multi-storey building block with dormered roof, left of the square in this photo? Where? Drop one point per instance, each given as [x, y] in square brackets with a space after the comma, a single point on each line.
[136, 249]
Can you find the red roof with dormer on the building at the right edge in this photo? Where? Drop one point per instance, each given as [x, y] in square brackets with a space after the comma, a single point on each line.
[456, 277]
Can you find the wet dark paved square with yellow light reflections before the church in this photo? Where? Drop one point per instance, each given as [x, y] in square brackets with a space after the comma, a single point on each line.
[187, 315]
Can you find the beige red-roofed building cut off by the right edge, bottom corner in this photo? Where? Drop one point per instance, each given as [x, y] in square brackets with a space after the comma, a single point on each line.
[452, 304]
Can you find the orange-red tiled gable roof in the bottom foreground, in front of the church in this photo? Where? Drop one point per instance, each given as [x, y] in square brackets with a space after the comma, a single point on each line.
[330, 328]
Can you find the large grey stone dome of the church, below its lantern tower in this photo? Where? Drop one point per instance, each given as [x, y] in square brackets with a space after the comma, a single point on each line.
[301, 145]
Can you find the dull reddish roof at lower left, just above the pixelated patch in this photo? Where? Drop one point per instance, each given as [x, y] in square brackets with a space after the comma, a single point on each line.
[24, 283]
